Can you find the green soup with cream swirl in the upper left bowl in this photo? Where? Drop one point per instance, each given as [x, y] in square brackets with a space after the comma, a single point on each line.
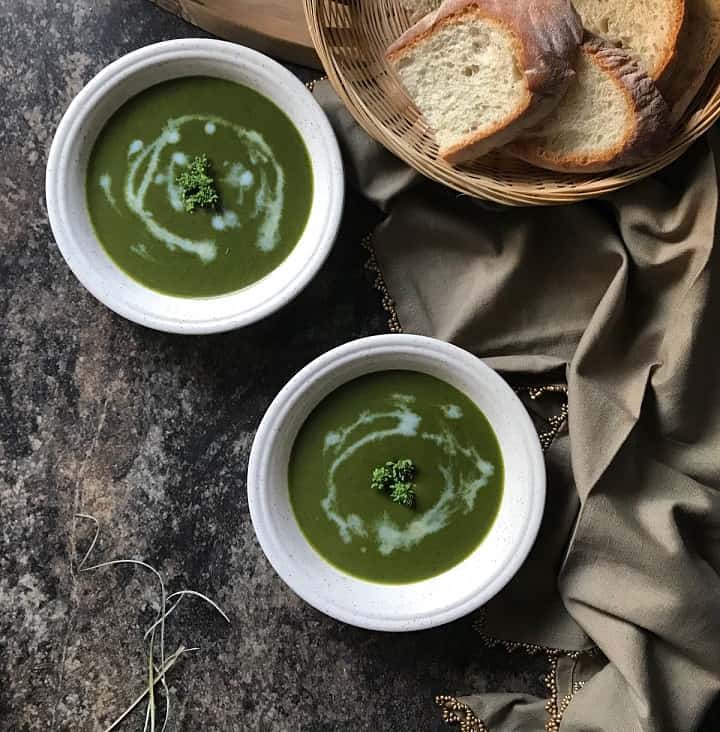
[261, 170]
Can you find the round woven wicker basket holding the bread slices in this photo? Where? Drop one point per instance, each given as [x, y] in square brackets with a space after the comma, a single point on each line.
[351, 36]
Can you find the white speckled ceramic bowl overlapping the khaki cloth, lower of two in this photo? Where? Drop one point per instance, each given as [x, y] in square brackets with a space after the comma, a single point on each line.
[430, 602]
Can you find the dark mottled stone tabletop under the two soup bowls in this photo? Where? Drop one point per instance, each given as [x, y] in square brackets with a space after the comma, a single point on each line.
[150, 433]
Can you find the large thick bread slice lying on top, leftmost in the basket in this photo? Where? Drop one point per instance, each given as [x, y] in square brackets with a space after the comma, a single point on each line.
[482, 71]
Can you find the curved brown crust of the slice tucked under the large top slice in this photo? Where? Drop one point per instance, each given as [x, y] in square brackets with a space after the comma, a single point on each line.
[645, 132]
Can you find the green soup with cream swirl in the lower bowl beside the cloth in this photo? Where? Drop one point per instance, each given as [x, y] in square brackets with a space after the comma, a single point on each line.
[386, 416]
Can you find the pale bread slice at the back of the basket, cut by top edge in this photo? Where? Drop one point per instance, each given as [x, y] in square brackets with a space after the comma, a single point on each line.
[649, 30]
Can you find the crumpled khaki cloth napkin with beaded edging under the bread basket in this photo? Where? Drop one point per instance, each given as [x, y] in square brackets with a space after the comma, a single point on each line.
[620, 298]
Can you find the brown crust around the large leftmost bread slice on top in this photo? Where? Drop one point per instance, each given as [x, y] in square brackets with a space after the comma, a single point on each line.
[546, 35]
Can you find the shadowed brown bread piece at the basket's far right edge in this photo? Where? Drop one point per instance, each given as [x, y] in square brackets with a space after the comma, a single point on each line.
[698, 50]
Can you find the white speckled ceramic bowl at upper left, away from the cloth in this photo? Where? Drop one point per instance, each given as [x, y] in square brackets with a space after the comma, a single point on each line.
[73, 142]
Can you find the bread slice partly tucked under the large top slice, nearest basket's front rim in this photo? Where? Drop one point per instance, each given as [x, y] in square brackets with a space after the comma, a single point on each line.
[613, 115]
